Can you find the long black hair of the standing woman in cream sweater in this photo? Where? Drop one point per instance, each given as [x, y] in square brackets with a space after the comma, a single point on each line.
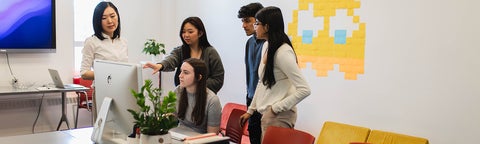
[272, 19]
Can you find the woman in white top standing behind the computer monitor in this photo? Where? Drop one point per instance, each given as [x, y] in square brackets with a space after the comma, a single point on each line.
[106, 43]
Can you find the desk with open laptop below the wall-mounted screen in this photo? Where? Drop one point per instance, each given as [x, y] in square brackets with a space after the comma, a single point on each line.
[8, 90]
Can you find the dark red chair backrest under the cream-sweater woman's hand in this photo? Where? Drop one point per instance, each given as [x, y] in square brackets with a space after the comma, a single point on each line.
[234, 129]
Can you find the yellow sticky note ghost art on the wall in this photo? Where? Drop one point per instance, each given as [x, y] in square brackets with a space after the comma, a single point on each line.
[325, 33]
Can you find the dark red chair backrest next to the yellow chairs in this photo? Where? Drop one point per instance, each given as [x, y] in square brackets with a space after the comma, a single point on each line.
[280, 135]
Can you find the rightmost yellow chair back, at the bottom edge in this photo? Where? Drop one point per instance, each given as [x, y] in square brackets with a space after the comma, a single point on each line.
[383, 137]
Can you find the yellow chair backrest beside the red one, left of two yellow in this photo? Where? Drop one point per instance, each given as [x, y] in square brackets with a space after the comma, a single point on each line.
[339, 133]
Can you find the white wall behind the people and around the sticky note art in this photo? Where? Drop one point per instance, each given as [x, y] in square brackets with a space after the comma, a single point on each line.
[421, 73]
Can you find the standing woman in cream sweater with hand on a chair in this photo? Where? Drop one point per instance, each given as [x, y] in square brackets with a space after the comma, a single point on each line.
[281, 84]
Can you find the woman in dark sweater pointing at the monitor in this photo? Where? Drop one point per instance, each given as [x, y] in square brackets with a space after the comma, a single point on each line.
[194, 45]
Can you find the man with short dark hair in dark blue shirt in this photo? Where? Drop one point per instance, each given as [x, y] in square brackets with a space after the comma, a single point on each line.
[253, 54]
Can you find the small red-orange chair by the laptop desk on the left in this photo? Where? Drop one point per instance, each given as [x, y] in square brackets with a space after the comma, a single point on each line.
[84, 99]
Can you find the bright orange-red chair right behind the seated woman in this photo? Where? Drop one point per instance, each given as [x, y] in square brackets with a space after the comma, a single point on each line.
[226, 111]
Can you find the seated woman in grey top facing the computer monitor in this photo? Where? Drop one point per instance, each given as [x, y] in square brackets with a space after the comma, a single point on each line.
[198, 108]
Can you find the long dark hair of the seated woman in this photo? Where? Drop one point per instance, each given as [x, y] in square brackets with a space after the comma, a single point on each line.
[201, 73]
